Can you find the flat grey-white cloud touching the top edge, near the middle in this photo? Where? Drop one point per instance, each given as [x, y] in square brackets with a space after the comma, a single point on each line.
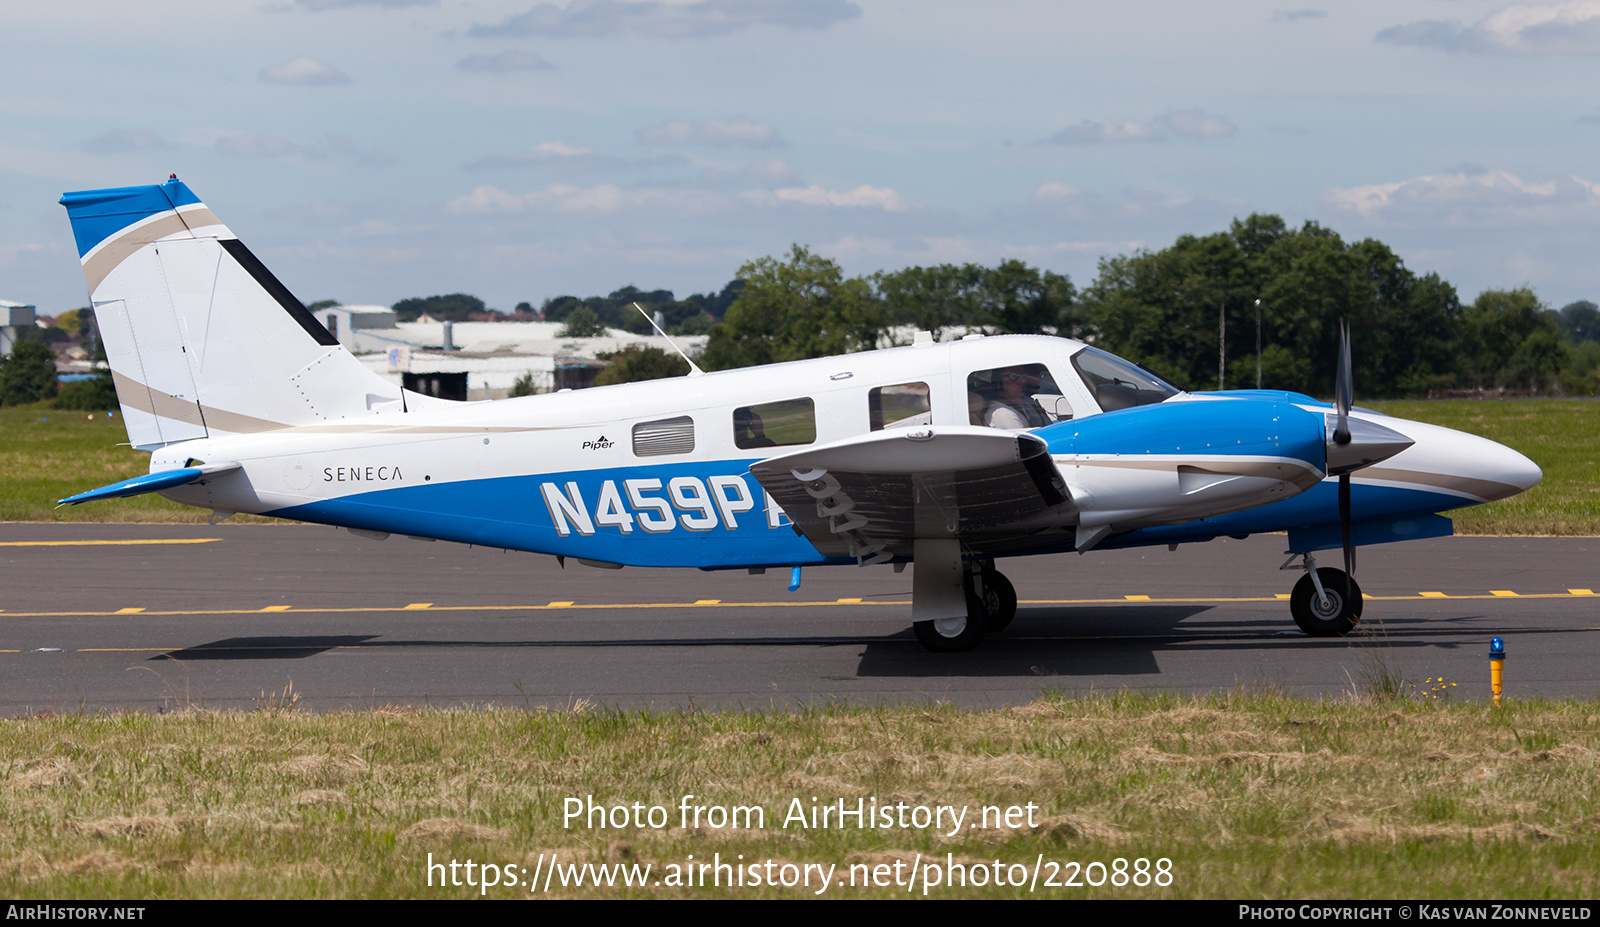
[666, 20]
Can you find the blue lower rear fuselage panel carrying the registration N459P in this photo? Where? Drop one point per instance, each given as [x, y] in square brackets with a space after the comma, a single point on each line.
[521, 513]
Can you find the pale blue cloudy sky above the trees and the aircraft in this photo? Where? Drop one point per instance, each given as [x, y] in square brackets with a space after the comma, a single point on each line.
[378, 150]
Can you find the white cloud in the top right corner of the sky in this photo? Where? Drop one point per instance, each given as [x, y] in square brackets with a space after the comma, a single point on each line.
[1521, 30]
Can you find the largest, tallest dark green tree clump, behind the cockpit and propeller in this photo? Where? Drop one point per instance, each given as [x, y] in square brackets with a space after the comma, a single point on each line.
[1166, 310]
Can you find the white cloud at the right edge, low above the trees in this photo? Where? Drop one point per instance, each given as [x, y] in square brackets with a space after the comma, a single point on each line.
[1471, 198]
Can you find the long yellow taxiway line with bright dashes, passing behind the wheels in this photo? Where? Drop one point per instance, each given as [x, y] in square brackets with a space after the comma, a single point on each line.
[719, 604]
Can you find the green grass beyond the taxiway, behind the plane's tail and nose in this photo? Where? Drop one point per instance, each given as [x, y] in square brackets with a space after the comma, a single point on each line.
[49, 455]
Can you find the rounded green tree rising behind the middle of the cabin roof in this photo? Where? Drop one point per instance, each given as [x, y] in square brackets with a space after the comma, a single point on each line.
[794, 310]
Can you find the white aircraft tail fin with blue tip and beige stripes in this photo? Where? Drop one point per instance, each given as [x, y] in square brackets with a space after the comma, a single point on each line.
[201, 337]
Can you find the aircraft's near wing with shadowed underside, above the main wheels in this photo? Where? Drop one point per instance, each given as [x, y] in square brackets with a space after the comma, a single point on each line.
[871, 497]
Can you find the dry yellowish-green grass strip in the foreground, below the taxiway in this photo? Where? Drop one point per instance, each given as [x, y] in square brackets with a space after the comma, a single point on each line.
[1247, 797]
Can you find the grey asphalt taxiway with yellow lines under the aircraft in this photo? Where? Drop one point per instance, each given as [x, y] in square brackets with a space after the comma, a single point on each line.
[230, 617]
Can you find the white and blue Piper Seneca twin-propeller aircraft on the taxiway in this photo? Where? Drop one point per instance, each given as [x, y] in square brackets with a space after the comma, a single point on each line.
[946, 455]
